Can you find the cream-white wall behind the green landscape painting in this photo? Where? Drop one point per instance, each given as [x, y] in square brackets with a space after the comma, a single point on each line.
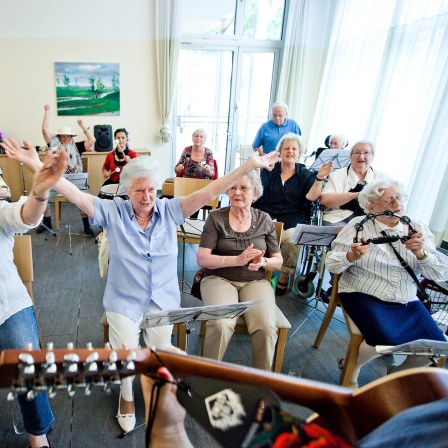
[35, 34]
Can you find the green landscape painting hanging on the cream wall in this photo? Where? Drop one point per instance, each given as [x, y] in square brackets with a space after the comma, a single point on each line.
[87, 88]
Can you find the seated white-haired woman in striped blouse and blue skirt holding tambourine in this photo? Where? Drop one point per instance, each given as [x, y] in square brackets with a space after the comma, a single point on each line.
[376, 291]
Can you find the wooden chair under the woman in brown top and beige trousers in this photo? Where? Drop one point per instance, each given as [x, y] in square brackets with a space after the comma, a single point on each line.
[282, 323]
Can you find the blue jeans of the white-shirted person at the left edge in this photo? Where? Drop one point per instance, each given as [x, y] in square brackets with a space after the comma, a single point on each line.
[16, 332]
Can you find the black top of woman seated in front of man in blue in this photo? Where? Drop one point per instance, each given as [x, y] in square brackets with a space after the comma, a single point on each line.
[286, 203]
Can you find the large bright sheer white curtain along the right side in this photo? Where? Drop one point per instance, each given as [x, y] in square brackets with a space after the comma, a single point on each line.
[385, 79]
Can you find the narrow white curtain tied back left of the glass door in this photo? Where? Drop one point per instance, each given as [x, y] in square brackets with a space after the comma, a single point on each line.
[167, 26]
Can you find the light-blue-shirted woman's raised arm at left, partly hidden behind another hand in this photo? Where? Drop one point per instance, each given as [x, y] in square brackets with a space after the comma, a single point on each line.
[29, 158]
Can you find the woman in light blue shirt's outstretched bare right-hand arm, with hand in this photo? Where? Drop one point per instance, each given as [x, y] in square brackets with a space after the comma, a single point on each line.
[198, 199]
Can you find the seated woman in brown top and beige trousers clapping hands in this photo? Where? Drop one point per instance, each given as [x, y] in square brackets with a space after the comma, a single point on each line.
[237, 246]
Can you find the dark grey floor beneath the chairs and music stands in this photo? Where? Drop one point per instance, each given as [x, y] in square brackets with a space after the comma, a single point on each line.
[68, 299]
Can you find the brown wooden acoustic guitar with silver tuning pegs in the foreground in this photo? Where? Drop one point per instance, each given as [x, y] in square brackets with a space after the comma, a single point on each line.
[351, 414]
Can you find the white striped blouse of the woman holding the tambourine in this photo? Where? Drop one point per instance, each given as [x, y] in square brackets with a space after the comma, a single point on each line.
[379, 272]
